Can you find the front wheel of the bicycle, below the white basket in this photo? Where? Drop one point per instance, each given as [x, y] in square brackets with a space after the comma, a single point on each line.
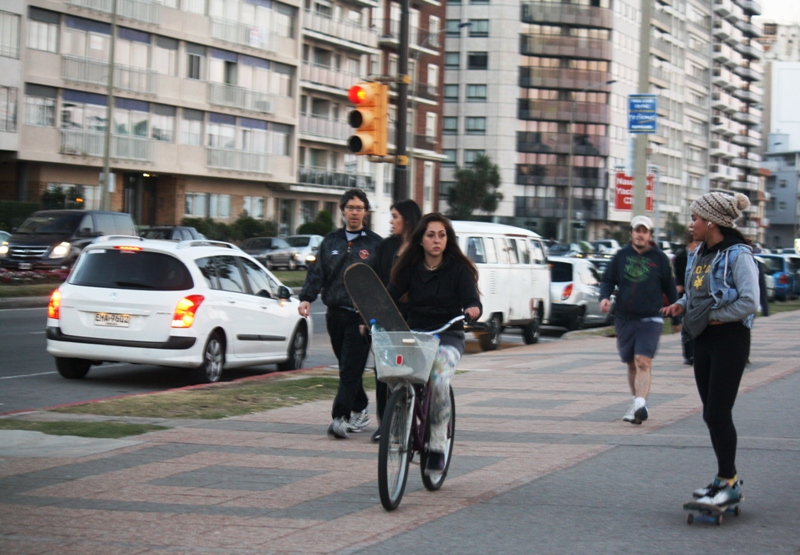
[393, 449]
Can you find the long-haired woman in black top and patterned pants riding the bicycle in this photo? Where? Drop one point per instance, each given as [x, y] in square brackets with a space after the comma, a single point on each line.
[437, 282]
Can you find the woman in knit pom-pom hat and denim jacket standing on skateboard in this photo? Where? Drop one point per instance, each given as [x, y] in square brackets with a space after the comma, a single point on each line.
[720, 301]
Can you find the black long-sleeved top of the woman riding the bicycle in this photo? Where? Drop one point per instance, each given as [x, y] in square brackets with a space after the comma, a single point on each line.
[438, 296]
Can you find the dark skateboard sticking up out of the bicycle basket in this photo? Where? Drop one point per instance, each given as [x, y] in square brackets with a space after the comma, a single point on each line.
[372, 299]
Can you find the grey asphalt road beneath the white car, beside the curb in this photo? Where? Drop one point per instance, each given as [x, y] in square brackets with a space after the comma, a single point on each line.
[28, 379]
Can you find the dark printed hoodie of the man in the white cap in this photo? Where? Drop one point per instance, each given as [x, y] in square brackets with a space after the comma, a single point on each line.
[643, 281]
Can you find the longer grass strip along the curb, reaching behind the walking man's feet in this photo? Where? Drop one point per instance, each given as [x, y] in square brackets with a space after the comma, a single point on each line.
[220, 400]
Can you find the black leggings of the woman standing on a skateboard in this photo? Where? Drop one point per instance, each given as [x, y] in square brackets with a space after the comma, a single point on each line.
[720, 355]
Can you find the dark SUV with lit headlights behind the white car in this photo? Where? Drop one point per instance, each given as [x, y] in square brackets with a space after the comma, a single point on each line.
[55, 238]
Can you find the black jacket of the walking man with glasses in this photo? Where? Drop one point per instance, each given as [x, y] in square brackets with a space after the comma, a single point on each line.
[335, 255]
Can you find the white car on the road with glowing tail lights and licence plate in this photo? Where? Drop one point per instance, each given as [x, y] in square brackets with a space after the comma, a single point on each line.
[206, 306]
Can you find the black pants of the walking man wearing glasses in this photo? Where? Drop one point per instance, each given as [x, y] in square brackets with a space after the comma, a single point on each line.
[351, 350]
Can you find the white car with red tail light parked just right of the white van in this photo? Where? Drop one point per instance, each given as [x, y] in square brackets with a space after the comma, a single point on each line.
[575, 293]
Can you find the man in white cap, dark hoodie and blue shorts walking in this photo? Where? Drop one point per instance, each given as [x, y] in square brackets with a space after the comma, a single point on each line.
[642, 274]
